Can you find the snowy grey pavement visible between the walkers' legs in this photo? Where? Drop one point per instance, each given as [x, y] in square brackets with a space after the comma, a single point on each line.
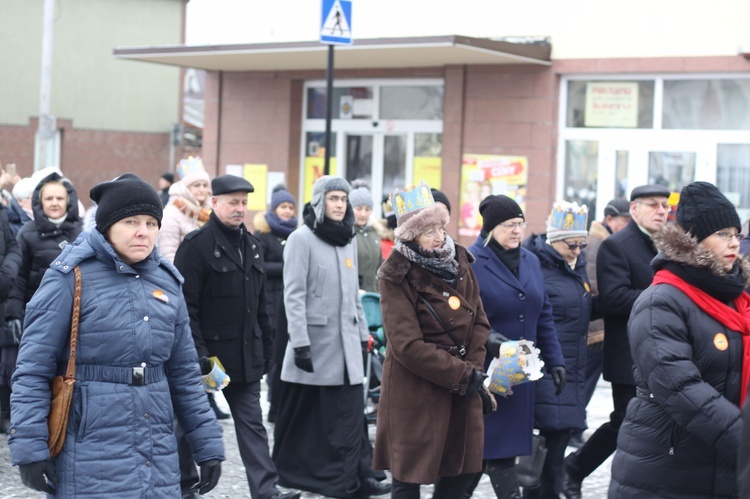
[233, 483]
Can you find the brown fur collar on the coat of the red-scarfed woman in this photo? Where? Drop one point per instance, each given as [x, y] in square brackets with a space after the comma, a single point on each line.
[678, 246]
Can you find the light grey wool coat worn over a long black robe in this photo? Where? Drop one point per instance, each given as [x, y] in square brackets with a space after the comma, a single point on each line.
[323, 310]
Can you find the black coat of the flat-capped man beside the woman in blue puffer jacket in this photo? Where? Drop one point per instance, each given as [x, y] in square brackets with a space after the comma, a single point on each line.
[226, 300]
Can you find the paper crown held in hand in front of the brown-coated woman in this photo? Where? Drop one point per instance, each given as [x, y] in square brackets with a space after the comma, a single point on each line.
[518, 363]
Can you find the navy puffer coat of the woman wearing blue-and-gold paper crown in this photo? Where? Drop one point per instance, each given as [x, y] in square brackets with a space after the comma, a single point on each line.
[570, 295]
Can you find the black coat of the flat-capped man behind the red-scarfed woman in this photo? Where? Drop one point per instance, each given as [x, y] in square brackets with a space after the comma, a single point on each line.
[623, 271]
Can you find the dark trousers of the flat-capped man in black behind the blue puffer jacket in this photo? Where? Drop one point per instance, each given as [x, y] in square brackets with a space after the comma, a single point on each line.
[252, 439]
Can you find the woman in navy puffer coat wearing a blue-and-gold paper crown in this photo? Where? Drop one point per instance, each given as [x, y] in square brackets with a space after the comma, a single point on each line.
[557, 412]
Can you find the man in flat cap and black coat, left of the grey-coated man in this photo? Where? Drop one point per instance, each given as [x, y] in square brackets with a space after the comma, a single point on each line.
[224, 290]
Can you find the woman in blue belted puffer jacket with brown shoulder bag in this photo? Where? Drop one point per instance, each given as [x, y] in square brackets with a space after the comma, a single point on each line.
[119, 440]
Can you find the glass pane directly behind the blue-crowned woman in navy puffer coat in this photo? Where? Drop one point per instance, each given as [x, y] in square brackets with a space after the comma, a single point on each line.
[581, 164]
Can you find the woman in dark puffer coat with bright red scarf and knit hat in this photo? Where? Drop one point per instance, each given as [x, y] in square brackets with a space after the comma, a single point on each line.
[688, 334]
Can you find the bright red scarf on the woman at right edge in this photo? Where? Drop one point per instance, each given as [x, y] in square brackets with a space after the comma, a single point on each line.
[736, 319]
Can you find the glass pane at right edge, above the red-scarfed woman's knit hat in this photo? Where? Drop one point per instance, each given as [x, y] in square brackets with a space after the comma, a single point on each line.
[733, 175]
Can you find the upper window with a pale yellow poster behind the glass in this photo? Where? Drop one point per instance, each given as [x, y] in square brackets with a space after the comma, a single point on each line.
[610, 104]
